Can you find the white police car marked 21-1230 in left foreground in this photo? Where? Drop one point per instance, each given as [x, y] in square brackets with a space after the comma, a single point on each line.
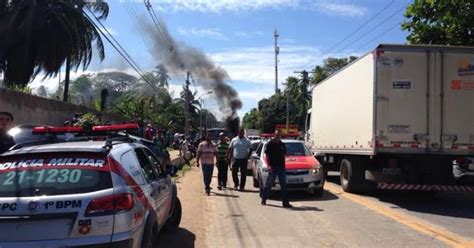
[112, 193]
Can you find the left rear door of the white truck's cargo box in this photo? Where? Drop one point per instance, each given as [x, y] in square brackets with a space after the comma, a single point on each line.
[402, 86]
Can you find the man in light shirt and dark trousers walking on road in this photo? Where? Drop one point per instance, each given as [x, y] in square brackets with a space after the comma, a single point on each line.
[239, 150]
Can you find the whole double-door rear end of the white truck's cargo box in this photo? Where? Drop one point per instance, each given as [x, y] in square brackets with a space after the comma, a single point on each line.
[425, 105]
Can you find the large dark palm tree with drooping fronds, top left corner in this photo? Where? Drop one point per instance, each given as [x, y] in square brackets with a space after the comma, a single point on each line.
[42, 35]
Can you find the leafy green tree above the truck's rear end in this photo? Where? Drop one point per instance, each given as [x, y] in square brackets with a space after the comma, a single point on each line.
[441, 22]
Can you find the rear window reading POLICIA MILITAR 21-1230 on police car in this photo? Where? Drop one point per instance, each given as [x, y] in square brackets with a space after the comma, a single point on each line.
[53, 174]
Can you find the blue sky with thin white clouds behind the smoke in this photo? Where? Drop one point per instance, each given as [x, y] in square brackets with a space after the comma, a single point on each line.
[238, 35]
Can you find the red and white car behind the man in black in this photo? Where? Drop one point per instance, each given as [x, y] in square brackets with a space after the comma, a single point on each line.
[303, 171]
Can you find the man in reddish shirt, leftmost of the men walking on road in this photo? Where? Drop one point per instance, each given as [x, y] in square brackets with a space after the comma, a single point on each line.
[206, 153]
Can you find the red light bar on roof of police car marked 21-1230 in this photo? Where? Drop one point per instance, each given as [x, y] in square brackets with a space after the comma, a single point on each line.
[58, 130]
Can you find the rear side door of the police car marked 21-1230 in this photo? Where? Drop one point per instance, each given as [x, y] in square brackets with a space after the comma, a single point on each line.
[151, 176]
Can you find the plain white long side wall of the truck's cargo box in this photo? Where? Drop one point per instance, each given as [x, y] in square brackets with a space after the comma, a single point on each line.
[342, 110]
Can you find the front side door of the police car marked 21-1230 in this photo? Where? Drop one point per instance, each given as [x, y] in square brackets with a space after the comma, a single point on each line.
[164, 187]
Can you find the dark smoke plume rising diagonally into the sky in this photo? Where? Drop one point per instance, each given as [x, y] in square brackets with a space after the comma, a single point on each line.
[180, 58]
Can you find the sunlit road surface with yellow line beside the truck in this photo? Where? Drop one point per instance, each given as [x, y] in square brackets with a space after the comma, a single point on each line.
[231, 218]
